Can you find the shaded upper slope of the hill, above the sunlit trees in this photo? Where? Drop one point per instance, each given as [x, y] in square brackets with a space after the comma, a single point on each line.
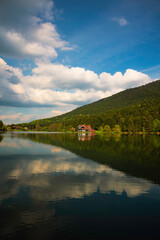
[123, 99]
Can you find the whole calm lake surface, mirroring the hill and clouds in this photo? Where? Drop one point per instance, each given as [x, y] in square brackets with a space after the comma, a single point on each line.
[64, 186]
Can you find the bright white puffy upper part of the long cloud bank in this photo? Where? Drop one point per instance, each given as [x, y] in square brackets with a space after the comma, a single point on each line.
[48, 75]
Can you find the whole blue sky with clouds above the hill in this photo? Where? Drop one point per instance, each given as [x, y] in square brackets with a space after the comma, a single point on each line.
[58, 55]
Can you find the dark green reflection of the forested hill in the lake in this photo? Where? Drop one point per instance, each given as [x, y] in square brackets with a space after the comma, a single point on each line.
[135, 155]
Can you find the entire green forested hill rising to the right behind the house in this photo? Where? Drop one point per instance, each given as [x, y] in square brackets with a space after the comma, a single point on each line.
[134, 110]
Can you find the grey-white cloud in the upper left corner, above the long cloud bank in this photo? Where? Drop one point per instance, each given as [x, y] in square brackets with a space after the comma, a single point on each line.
[25, 35]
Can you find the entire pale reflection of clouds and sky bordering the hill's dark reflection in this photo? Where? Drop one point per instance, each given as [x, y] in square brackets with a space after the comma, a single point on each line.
[61, 174]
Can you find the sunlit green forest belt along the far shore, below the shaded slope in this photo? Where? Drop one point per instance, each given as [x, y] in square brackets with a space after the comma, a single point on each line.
[142, 117]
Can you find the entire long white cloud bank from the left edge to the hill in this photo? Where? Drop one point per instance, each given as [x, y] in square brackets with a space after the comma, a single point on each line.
[58, 85]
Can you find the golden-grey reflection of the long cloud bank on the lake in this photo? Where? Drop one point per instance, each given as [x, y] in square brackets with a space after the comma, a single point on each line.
[71, 179]
